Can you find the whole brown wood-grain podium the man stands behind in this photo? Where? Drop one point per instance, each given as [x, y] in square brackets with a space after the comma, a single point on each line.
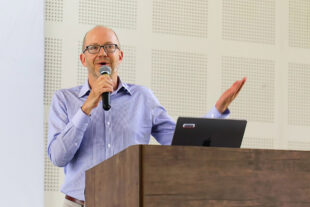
[177, 176]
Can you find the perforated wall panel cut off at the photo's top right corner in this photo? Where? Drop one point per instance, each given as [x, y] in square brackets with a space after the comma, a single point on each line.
[299, 23]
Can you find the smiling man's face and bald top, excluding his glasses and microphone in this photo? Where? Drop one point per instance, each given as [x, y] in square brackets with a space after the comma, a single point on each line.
[101, 36]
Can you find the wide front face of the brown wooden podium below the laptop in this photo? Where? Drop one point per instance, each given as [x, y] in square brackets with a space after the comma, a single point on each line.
[197, 176]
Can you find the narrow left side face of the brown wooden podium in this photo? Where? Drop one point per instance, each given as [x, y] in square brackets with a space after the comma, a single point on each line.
[116, 181]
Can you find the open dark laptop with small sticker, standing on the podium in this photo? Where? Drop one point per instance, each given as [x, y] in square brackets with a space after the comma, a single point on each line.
[209, 132]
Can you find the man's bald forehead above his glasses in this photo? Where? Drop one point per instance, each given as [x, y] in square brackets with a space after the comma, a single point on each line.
[100, 36]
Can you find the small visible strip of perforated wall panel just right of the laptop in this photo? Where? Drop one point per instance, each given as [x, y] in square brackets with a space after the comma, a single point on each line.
[257, 143]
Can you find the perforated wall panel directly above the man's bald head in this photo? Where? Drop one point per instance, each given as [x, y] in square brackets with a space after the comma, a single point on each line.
[111, 13]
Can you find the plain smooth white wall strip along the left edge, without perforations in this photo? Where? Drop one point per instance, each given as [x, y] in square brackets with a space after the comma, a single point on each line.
[21, 86]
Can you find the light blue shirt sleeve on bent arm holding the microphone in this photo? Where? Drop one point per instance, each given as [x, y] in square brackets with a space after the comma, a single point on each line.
[64, 135]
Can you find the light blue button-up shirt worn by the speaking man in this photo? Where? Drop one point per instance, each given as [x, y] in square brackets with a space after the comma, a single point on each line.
[78, 142]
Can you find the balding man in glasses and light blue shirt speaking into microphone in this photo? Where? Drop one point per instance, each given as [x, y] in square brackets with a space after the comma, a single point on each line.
[82, 134]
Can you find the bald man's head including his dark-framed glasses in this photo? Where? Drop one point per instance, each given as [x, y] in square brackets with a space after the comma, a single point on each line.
[110, 55]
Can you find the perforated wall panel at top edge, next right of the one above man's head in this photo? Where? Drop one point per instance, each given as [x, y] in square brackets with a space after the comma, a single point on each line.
[180, 17]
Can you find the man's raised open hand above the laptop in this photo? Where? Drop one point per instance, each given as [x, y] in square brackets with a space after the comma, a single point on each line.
[229, 95]
